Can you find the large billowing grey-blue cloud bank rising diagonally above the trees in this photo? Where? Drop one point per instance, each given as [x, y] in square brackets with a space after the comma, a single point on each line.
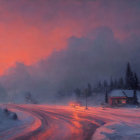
[96, 56]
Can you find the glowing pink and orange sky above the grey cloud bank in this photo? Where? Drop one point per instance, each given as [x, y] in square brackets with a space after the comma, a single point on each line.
[30, 30]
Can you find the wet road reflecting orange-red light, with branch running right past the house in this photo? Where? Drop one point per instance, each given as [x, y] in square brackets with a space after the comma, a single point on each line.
[54, 122]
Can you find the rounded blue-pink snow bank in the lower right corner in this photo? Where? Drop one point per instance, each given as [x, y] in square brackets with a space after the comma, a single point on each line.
[117, 131]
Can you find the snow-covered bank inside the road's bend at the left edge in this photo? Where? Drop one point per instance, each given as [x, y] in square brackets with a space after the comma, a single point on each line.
[11, 128]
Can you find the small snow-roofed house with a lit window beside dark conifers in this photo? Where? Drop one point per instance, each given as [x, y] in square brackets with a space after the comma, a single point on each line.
[121, 97]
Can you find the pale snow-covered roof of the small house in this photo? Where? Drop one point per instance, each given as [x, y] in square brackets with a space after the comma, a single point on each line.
[119, 93]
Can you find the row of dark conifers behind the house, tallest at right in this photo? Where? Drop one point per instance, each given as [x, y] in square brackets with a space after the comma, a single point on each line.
[128, 81]
